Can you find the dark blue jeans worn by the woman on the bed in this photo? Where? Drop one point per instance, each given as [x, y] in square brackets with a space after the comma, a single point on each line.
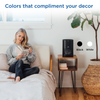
[22, 70]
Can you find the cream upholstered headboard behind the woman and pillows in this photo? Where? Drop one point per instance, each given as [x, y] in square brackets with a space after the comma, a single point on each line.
[42, 51]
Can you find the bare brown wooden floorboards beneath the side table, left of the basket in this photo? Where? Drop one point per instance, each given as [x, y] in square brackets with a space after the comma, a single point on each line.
[68, 94]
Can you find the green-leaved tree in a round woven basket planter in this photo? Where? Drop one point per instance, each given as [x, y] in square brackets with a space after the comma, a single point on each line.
[91, 77]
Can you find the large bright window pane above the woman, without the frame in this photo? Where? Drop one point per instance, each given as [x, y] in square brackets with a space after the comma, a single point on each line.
[31, 15]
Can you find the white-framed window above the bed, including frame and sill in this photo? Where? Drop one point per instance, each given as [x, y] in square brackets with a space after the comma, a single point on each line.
[26, 18]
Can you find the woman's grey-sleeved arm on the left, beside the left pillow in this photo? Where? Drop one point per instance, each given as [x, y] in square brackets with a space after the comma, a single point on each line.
[10, 58]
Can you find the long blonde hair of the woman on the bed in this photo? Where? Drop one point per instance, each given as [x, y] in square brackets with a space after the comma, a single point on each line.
[25, 40]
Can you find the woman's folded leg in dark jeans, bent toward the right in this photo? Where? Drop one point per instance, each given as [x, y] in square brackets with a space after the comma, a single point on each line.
[30, 71]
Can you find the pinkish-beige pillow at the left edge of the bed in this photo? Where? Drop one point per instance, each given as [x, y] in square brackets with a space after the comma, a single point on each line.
[3, 62]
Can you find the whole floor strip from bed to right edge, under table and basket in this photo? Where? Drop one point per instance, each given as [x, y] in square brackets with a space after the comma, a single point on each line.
[68, 94]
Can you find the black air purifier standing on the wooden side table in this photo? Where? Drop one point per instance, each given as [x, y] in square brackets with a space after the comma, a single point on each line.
[67, 49]
